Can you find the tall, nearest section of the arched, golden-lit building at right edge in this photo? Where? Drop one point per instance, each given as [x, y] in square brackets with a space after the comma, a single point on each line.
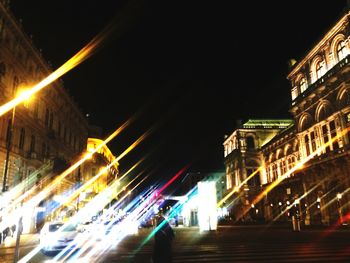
[321, 109]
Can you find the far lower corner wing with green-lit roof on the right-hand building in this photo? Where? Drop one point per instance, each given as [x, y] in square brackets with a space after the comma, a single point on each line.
[243, 158]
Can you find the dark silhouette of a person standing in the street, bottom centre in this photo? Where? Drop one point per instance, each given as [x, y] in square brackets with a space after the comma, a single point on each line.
[162, 251]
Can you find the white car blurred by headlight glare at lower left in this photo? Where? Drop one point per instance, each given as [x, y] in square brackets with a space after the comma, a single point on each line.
[56, 236]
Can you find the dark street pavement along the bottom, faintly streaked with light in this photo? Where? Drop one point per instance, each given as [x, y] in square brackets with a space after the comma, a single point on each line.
[226, 244]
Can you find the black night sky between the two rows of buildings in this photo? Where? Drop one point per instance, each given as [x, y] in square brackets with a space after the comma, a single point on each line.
[191, 67]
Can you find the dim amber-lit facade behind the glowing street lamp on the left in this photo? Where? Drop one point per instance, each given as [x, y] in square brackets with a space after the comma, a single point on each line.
[50, 126]
